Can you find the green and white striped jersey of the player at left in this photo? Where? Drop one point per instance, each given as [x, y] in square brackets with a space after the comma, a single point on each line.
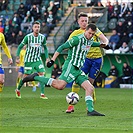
[34, 48]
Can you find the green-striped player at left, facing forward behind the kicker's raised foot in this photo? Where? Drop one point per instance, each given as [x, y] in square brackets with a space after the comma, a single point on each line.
[34, 42]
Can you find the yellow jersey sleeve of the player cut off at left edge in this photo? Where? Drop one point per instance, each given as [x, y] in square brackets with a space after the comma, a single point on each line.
[5, 48]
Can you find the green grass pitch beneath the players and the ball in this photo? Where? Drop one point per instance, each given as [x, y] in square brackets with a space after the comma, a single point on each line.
[32, 114]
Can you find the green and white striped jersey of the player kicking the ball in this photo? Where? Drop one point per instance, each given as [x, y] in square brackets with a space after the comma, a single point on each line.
[78, 48]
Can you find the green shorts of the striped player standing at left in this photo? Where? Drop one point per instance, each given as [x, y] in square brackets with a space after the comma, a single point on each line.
[30, 67]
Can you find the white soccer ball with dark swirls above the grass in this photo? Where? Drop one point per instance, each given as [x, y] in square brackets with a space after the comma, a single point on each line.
[72, 98]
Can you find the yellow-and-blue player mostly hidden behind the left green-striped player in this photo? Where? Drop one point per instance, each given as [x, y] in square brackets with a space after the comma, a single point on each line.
[20, 68]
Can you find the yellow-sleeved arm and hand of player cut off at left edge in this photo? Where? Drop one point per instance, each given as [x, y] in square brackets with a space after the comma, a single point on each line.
[6, 50]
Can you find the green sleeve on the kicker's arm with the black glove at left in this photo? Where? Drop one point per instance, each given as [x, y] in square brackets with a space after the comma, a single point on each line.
[68, 44]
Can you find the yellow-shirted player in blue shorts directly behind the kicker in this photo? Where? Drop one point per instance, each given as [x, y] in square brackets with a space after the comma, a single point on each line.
[93, 61]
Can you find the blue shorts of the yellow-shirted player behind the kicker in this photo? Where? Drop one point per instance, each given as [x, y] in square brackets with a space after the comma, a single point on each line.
[92, 67]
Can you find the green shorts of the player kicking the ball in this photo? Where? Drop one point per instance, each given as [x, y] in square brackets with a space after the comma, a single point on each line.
[72, 73]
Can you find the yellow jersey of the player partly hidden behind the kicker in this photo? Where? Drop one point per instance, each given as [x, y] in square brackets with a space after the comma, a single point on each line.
[94, 52]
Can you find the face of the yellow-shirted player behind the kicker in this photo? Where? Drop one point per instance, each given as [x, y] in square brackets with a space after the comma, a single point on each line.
[83, 21]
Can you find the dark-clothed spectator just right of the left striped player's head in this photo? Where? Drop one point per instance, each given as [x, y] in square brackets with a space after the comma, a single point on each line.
[44, 29]
